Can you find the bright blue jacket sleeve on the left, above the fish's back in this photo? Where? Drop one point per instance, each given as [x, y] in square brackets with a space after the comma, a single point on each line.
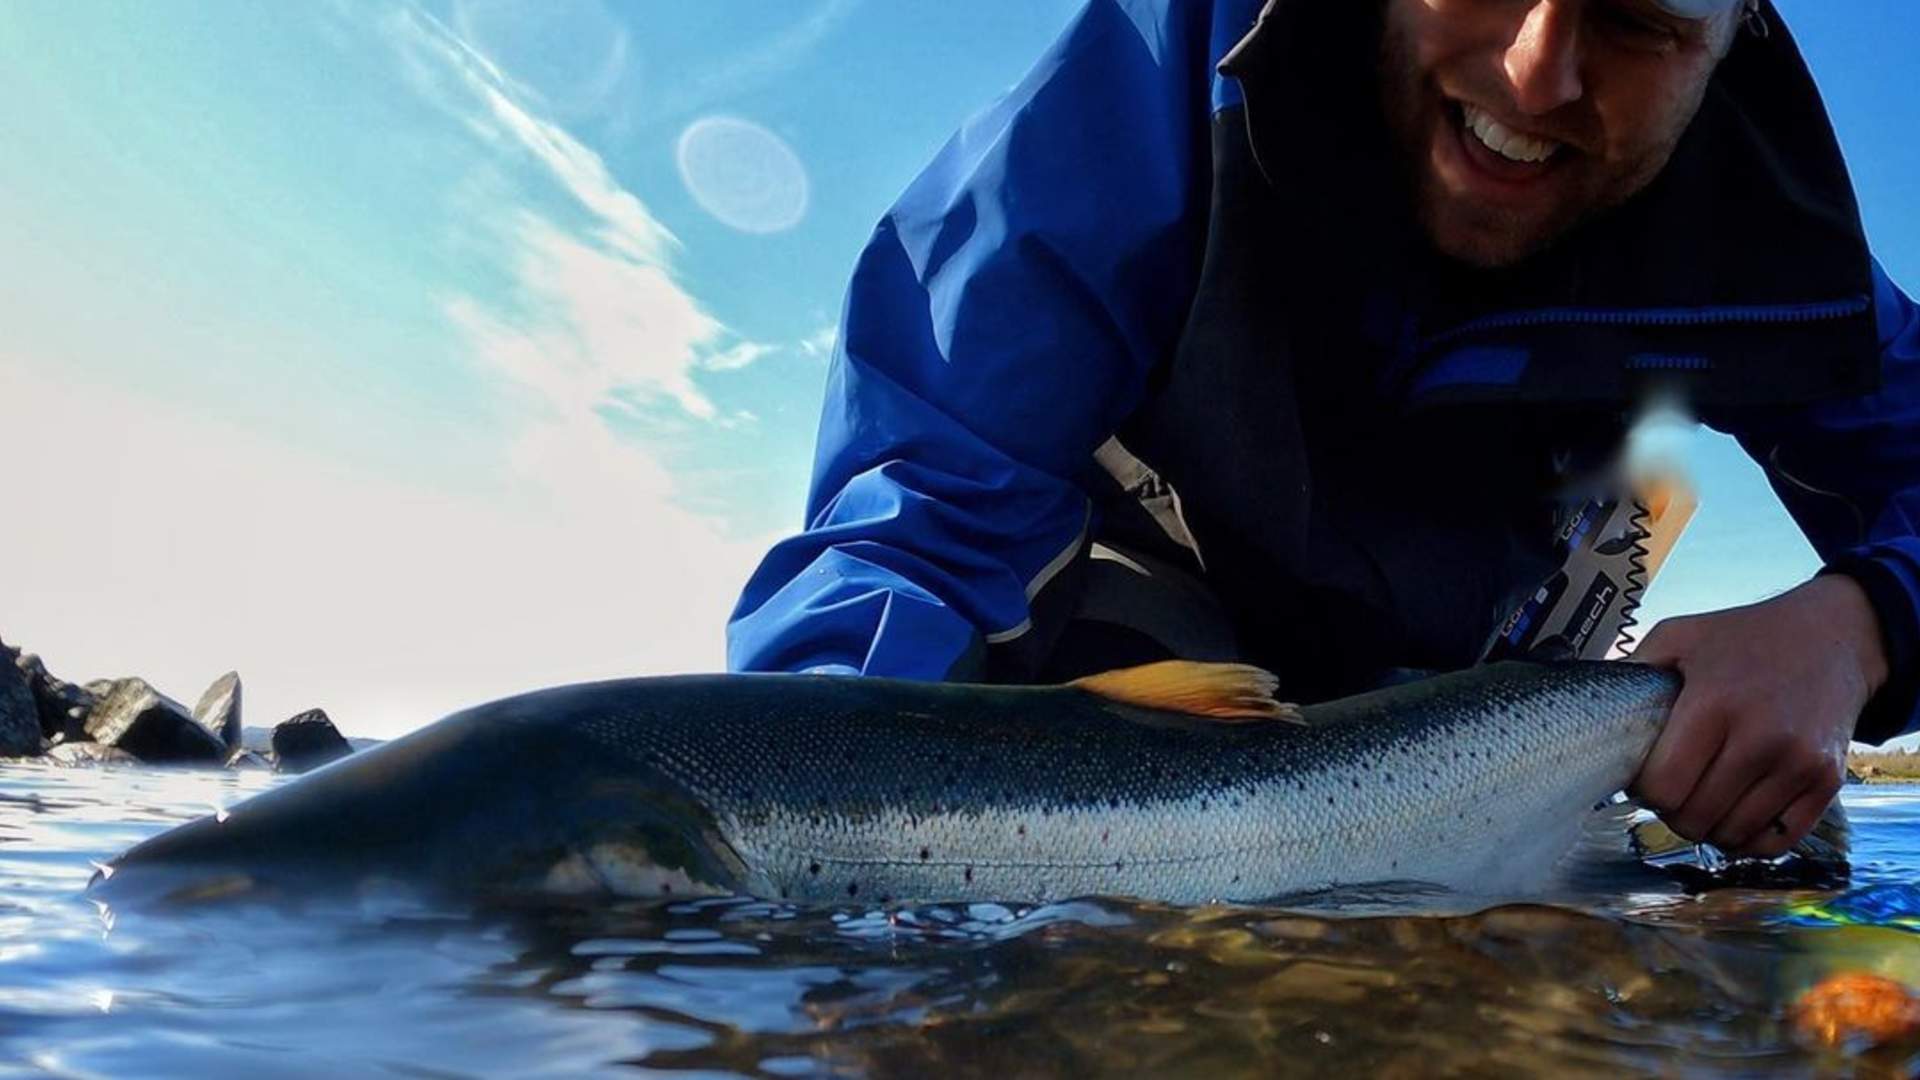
[999, 326]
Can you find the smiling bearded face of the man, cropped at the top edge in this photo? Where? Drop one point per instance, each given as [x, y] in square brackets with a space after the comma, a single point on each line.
[1522, 118]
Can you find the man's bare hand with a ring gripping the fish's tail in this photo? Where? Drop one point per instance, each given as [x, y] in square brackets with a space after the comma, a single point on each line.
[1758, 743]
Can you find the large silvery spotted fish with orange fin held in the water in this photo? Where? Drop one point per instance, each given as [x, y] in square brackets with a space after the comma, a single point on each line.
[1176, 783]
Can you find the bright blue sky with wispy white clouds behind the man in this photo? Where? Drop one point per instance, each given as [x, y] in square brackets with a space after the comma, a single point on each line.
[404, 355]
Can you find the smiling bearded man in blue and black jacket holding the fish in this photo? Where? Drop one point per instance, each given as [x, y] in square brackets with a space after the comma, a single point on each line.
[1293, 362]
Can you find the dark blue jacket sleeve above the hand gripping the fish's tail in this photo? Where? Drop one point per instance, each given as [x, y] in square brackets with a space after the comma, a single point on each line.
[1850, 476]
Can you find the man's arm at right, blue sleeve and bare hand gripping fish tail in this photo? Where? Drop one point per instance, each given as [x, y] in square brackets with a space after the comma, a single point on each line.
[1758, 743]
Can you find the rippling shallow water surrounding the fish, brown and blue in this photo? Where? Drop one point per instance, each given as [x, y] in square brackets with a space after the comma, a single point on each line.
[1650, 985]
